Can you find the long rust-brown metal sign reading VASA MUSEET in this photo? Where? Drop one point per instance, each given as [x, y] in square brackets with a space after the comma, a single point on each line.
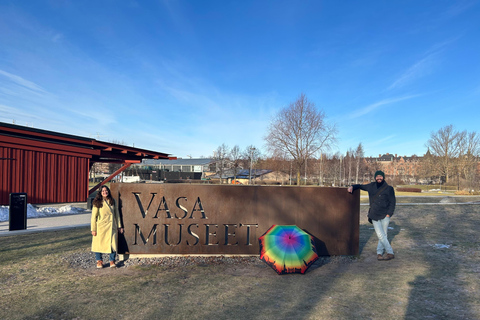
[215, 219]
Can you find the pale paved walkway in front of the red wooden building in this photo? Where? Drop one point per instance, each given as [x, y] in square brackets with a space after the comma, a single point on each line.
[49, 224]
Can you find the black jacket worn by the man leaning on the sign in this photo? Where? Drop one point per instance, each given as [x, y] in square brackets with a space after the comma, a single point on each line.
[383, 204]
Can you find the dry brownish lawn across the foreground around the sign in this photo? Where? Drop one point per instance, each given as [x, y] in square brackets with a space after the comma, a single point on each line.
[425, 281]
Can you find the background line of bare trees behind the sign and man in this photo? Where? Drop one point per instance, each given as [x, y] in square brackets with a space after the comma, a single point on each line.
[452, 159]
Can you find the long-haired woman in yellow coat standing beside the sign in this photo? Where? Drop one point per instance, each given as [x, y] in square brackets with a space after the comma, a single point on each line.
[105, 226]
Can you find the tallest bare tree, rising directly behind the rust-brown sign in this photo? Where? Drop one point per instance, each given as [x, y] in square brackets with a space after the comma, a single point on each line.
[300, 130]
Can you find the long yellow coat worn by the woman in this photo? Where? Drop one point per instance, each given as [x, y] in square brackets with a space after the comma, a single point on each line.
[106, 224]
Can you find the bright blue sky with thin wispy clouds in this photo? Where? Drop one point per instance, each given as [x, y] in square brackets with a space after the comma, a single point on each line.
[183, 77]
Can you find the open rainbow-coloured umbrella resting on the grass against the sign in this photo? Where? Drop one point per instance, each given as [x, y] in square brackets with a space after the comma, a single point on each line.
[287, 249]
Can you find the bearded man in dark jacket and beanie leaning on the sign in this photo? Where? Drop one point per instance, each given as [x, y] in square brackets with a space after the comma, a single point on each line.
[382, 206]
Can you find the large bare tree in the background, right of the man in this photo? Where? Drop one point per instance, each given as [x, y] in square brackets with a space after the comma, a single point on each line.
[446, 145]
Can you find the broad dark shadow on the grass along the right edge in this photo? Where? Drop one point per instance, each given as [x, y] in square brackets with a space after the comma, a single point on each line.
[441, 291]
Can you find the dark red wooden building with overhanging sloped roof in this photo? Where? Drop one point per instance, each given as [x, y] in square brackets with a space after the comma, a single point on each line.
[53, 167]
